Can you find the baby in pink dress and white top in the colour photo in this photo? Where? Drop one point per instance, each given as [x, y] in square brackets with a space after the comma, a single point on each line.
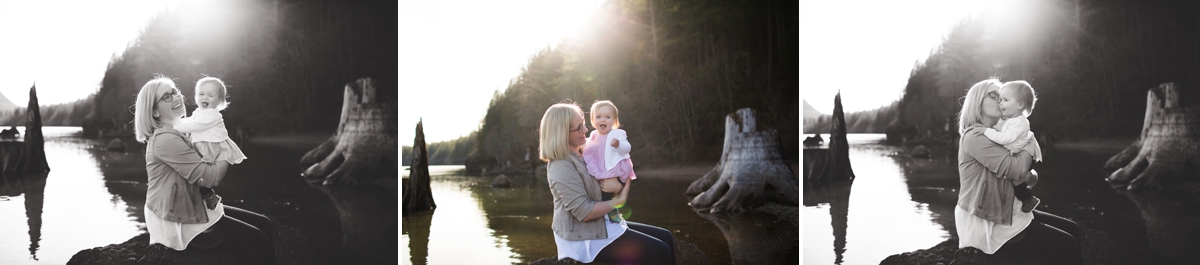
[607, 153]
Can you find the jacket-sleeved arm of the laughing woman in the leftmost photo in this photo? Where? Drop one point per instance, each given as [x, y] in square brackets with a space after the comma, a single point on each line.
[175, 152]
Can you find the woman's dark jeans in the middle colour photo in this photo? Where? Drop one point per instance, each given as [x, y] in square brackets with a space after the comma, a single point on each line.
[643, 244]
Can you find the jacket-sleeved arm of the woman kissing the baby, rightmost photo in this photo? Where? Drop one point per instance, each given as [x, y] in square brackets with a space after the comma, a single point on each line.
[995, 158]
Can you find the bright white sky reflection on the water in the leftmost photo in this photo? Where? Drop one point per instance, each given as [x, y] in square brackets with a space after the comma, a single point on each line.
[50, 218]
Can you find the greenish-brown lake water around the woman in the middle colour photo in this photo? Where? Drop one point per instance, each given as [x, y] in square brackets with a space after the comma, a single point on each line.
[476, 224]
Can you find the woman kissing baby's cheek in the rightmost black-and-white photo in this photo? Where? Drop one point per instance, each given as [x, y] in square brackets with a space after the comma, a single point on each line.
[988, 215]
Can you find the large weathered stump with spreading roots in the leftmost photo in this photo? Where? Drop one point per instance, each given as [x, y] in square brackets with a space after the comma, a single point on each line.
[364, 148]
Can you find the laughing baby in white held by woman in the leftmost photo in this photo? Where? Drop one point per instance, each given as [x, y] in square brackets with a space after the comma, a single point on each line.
[208, 132]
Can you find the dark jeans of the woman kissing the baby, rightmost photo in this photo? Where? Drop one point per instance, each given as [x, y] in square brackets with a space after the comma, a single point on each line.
[1049, 236]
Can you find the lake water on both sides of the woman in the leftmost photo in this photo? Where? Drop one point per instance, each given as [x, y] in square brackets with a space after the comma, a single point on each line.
[93, 198]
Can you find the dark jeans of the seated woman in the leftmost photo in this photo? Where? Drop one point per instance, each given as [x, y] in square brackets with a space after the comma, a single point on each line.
[248, 233]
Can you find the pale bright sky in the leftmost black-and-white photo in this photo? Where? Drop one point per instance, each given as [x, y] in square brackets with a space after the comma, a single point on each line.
[65, 46]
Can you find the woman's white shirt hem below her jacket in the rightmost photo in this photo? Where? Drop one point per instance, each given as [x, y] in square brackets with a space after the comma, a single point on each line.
[987, 236]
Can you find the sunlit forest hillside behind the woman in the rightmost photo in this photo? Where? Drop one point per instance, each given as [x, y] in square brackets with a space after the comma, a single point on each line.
[1090, 62]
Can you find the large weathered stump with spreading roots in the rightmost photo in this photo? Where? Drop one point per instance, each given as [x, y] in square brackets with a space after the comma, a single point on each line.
[1167, 153]
